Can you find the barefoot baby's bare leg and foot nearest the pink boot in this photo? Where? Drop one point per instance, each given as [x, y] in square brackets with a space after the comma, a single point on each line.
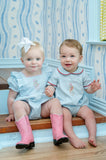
[75, 141]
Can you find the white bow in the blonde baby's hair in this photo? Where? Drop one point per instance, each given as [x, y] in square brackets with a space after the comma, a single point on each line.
[26, 43]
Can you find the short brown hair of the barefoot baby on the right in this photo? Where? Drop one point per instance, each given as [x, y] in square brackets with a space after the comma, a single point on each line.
[72, 43]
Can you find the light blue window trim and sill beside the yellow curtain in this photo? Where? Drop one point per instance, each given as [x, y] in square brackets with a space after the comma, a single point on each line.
[94, 23]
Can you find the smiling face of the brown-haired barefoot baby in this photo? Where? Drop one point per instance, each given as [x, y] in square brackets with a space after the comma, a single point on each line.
[69, 57]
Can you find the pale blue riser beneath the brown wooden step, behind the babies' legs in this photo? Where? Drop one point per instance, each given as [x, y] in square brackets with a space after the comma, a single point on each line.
[45, 135]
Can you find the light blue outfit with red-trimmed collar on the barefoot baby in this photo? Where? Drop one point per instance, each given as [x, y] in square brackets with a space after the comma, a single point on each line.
[70, 87]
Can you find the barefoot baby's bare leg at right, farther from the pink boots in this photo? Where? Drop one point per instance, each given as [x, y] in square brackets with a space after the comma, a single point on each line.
[89, 118]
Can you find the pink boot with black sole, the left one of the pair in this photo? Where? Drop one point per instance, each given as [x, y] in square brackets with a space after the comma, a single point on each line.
[27, 139]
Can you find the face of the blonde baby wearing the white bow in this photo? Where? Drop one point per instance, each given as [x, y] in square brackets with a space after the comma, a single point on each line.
[33, 60]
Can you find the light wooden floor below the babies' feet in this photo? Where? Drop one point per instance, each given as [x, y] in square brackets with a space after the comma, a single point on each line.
[46, 151]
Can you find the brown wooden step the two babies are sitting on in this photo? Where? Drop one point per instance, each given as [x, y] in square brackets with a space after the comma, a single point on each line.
[6, 127]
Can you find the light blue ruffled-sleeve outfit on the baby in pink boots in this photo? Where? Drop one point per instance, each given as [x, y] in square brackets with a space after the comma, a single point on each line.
[31, 89]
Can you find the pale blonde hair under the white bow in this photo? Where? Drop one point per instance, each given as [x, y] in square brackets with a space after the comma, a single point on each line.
[37, 45]
